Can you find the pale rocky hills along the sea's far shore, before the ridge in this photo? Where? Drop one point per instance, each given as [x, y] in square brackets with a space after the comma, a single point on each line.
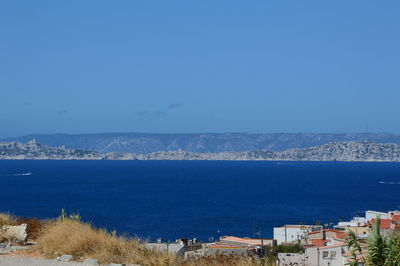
[335, 151]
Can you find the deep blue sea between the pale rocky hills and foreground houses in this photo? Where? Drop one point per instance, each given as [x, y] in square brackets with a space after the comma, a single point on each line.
[203, 199]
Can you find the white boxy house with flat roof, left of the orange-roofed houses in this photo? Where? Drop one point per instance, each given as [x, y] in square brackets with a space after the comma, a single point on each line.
[292, 233]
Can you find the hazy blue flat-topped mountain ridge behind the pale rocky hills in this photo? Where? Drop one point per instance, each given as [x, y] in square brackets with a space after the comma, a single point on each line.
[143, 143]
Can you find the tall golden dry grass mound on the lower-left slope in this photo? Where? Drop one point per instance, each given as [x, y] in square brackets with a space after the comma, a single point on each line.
[82, 240]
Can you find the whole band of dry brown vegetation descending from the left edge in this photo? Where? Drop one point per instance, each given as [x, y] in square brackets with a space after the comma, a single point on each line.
[82, 240]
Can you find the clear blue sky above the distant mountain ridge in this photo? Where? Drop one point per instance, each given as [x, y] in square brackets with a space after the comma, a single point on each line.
[199, 66]
